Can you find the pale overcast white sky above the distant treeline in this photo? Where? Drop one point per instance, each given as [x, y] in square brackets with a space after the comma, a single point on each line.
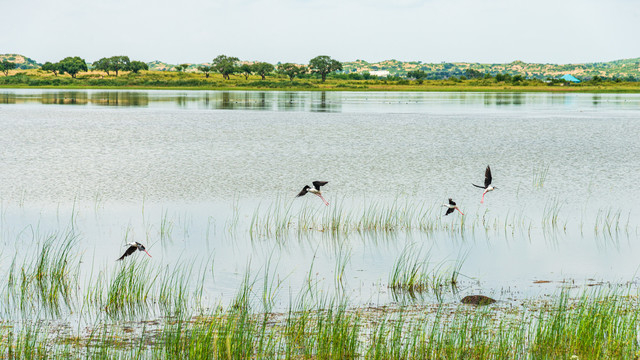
[194, 31]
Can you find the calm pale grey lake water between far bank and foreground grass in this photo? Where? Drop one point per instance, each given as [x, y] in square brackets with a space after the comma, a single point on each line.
[186, 172]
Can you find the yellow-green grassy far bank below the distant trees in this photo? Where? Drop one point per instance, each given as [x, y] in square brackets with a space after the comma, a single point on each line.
[198, 81]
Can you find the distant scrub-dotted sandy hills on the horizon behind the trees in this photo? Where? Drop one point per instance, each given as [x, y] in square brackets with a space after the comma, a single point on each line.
[623, 69]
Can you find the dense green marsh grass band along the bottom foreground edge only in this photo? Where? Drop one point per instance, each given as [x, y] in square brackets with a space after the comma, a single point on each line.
[598, 323]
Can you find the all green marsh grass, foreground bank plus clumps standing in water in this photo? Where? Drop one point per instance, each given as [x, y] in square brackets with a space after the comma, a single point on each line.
[317, 325]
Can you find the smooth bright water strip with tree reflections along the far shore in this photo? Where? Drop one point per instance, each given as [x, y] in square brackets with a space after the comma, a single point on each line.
[320, 101]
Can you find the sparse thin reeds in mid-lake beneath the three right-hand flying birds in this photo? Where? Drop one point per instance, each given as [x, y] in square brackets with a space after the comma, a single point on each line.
[282, 218]
